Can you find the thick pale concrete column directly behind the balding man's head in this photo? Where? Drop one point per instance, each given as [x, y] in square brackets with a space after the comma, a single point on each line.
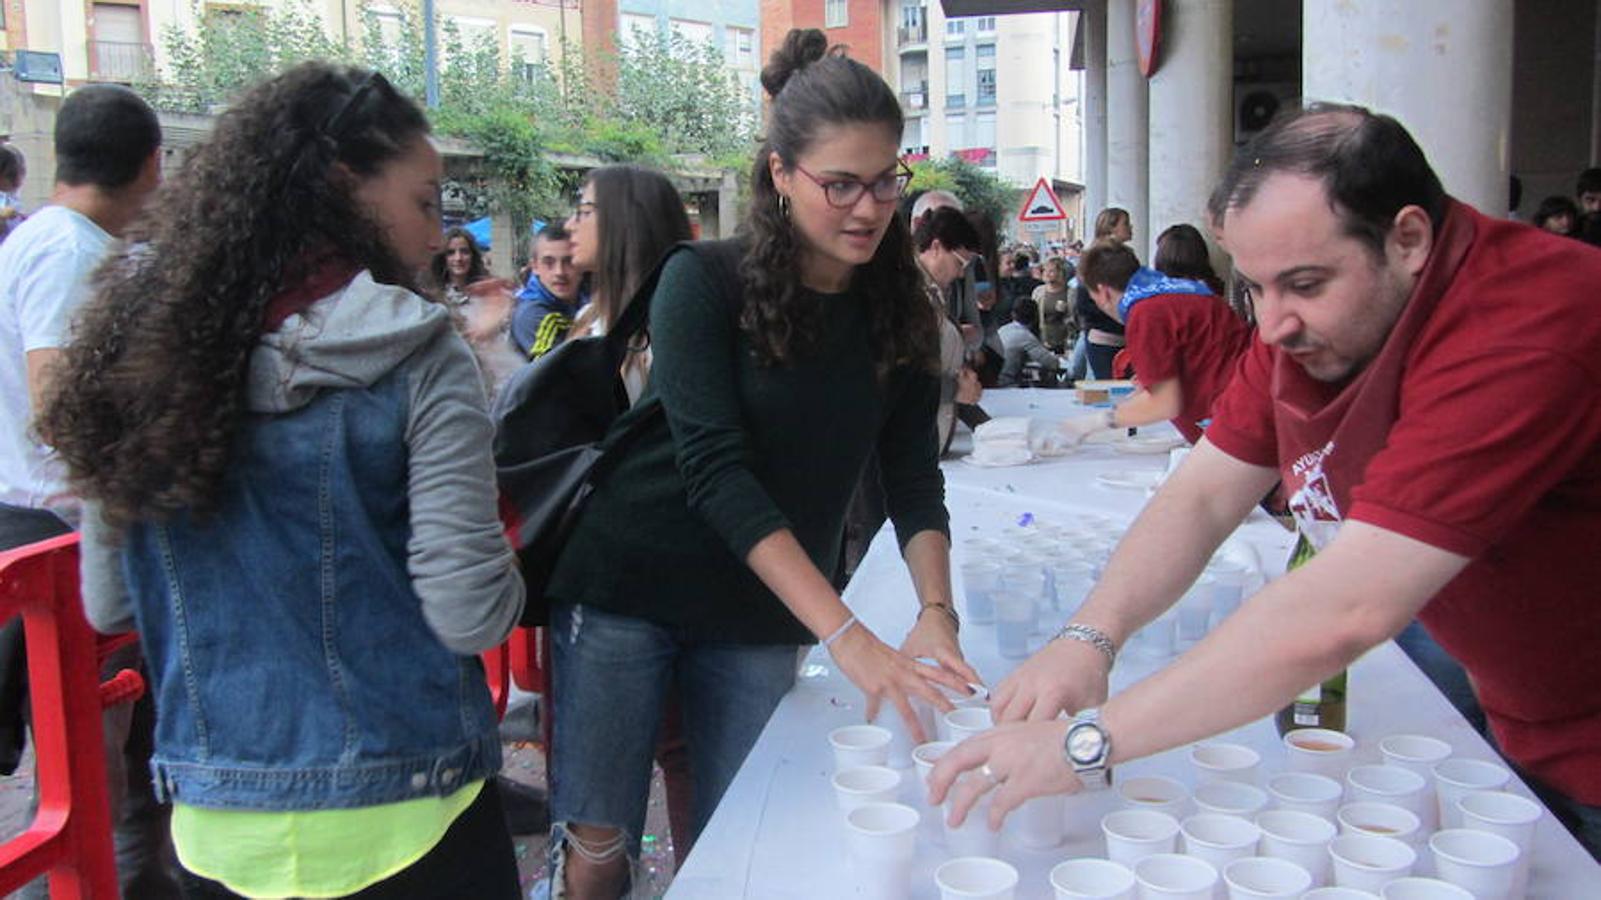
[1443, 70]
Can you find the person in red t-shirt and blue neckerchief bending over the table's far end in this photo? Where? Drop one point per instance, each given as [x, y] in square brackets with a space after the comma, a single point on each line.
[1182, 340]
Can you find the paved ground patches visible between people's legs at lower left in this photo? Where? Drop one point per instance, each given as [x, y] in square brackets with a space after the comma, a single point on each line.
[524, 763]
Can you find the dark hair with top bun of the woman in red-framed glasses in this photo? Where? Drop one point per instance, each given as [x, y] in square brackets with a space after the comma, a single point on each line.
[814, 89]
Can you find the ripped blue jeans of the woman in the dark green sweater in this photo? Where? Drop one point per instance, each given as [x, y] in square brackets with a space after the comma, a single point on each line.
[611, 685]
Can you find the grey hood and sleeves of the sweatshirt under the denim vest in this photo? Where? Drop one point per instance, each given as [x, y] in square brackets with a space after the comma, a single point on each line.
[460, 565]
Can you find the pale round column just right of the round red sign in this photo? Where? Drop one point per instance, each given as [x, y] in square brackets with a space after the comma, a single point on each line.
[1192, 115]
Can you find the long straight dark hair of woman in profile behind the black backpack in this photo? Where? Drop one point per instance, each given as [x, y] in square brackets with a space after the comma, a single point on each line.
[640, 217]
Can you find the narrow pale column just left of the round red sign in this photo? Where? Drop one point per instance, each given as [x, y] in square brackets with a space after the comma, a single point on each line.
[1126, 121]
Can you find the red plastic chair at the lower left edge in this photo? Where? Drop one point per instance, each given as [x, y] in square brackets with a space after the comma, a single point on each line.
[71, 834]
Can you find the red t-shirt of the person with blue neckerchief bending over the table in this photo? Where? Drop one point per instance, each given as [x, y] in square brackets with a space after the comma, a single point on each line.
[1190, 337]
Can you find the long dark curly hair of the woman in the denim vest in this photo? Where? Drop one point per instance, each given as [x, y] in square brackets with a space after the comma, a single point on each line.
[151, 393]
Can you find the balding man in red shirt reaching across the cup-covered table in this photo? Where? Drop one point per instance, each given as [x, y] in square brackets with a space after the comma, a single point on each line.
[1429, 387]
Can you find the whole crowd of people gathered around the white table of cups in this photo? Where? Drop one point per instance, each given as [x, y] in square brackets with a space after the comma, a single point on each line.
[260, 393]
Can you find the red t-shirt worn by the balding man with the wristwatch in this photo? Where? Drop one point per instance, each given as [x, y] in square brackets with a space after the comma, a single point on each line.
[1479, 432]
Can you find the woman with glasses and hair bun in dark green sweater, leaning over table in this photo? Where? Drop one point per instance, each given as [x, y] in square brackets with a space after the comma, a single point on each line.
[784, 360]
